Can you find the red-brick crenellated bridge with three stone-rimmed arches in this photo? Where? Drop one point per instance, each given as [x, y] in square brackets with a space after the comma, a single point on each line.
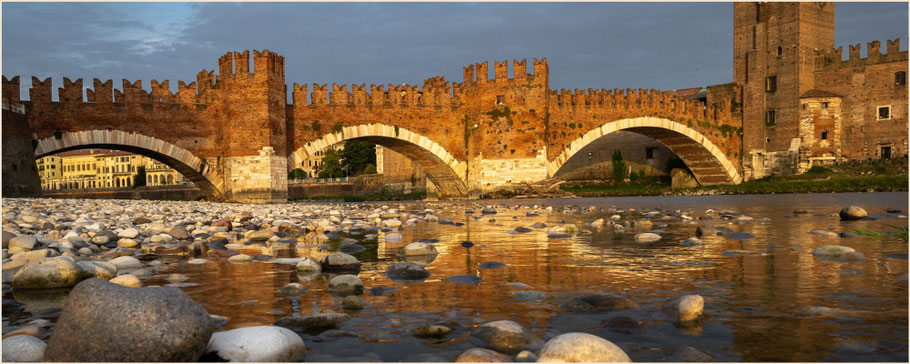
[236, 136]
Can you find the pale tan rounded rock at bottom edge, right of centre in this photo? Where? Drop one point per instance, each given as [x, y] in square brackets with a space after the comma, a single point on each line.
[577, 347]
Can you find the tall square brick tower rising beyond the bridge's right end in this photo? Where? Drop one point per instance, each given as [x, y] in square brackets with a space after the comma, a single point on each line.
[774, 50]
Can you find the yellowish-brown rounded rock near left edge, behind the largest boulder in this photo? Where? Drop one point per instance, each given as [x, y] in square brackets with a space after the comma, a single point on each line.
[47, 273]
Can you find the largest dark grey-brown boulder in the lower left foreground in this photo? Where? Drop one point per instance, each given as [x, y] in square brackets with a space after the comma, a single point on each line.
[102, 321]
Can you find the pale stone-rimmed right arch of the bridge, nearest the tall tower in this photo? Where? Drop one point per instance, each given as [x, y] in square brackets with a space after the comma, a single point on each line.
[708, 164]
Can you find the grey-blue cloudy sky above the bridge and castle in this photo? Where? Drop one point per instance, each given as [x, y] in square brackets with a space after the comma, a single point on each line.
[663, 46]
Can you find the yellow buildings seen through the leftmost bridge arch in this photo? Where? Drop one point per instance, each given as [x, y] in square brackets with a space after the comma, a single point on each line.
[101, 168]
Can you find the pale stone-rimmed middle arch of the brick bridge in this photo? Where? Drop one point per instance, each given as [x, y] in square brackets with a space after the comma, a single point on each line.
[446, 172]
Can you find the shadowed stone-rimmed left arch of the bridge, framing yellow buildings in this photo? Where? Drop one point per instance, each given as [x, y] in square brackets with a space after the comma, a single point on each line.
[195, 169]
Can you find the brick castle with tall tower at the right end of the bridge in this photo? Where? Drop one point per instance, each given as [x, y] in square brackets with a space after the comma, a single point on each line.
[803, 104]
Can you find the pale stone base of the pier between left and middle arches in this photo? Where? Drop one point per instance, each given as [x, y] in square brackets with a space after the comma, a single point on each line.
[256, 179]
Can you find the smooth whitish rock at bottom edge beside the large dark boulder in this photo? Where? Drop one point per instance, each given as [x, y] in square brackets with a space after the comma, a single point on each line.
[255, 344]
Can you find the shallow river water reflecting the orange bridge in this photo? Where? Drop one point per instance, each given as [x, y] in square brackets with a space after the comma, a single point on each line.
[776, 303]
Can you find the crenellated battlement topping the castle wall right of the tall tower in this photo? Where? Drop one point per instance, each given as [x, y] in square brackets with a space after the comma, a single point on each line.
[830, 59]
